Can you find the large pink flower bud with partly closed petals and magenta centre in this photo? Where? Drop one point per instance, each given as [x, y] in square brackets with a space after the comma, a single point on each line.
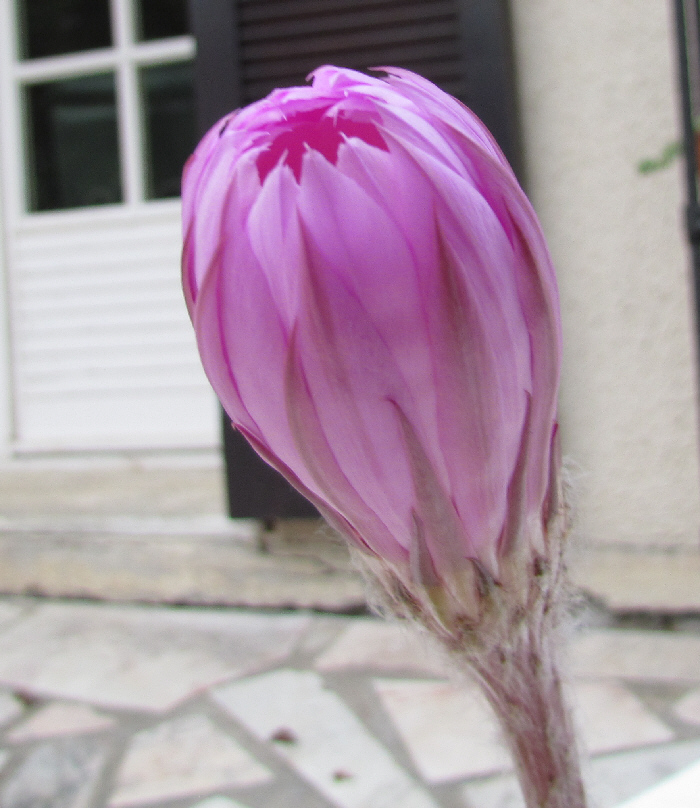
[376, 308]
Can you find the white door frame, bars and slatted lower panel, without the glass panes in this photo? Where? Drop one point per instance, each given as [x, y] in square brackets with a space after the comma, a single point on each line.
[150, 228]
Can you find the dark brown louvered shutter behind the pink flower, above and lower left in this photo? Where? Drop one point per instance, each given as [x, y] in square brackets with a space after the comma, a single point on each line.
[246, 48]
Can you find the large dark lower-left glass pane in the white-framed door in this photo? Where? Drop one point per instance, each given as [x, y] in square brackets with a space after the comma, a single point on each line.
[73, 143]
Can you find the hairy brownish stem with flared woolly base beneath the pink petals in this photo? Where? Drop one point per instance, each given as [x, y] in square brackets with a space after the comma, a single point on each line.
[505, 633]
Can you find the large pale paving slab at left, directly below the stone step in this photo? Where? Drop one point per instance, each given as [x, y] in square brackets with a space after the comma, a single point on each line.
[138, 658]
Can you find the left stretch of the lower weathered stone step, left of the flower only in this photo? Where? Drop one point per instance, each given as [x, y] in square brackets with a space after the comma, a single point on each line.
[297, 567]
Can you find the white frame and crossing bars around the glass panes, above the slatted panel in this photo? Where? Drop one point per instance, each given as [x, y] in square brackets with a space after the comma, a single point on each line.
[124, 59]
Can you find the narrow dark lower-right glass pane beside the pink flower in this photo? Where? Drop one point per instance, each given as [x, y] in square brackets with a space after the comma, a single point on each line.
[168, 99]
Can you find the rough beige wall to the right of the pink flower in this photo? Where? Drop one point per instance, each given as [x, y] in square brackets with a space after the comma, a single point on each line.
[598, 93]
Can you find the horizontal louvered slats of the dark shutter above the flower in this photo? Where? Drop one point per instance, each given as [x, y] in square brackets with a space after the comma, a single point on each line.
[282, 42]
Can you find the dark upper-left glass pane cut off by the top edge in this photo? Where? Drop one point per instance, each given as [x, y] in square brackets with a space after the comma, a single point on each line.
[50, 27]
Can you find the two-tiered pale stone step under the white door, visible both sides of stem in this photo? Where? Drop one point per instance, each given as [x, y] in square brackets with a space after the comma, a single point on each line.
[153, 529]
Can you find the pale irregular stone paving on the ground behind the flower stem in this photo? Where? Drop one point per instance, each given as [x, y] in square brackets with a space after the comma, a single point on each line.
[106, 705]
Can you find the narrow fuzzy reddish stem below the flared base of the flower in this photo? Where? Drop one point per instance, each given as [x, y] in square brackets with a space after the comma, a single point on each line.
[525, 691]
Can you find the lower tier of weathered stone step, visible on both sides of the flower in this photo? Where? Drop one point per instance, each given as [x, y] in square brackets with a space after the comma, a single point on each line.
[209, 560]
